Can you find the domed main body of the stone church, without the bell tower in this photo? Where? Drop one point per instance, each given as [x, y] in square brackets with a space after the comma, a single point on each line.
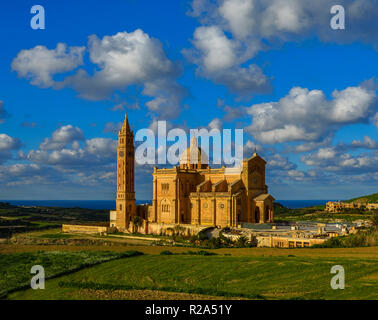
[193, 193]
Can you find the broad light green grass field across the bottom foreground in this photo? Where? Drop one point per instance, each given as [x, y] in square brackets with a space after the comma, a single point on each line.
[253, 277]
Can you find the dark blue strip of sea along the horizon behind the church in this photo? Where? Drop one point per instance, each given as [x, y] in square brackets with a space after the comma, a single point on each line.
[110, 204]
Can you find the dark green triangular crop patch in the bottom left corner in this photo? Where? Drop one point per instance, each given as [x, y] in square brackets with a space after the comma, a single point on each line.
[15, 267]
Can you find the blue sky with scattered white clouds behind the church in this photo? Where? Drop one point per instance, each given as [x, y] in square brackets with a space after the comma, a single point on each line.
[268, 66]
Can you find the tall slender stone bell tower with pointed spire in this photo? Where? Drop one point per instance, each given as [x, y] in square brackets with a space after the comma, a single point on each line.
[126, 207]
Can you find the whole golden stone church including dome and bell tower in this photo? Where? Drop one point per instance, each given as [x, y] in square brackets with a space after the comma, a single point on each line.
[193, 193]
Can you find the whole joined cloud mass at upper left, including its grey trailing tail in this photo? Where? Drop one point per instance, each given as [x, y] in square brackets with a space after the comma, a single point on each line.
[121, 60]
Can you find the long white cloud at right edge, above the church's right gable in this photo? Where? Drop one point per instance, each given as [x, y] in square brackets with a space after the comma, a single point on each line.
[307, 115]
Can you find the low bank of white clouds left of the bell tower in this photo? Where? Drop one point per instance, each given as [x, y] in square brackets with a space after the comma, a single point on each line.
[65, 158]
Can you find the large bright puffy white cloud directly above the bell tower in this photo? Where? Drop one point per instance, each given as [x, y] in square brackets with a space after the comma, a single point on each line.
[123, 59]
